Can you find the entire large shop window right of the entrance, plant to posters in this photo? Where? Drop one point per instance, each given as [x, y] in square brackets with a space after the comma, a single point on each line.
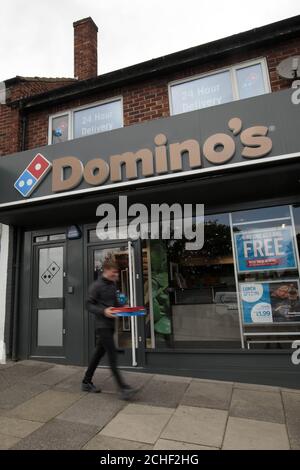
[240, 290]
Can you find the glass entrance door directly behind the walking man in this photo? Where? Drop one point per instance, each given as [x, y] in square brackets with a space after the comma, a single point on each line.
[126, 327]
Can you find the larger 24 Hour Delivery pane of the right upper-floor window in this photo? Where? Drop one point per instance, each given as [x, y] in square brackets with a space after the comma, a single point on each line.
[201, 93]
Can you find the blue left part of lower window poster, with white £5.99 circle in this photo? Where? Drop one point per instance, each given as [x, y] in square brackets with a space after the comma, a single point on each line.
[256, 303]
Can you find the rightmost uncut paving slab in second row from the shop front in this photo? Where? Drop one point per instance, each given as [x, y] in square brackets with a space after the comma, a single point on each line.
[258, 405]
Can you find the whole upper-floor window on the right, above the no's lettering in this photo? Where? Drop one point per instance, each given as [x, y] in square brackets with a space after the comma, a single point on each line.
[238, 82]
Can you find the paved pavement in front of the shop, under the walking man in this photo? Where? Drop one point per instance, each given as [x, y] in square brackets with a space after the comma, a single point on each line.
[42, 407]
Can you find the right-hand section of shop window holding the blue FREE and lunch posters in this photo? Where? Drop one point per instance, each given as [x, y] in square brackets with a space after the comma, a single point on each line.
[268, 277]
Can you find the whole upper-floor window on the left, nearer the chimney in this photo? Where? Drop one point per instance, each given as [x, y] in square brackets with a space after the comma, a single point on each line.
[84, 121]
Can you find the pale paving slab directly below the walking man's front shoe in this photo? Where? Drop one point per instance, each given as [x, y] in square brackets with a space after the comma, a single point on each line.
[140, 423]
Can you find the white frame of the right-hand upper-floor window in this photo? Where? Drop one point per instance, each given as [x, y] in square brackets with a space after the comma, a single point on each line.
[233, 78]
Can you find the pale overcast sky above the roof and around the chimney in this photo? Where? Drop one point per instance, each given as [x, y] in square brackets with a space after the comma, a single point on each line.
[36, 36]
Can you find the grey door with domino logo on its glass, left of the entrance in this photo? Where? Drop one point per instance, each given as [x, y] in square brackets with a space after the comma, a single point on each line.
[48, 306]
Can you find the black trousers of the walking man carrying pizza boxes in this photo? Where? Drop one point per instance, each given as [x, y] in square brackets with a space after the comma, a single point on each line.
[104, 344]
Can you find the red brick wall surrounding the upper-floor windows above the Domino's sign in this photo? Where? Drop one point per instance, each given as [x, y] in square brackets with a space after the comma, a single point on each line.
[148, 99]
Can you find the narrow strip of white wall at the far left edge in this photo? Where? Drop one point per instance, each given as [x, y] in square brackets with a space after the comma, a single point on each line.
[4, 239]
